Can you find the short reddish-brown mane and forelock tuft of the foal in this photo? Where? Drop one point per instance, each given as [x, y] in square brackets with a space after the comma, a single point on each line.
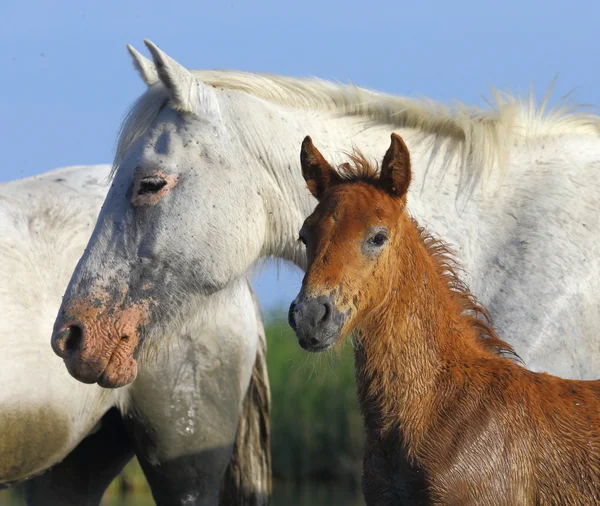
[360, 169]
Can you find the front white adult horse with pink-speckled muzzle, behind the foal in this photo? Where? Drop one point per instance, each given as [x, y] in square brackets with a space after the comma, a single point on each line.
[207, 181]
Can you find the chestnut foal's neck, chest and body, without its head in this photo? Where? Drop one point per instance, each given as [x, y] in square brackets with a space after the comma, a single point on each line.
[449, 421]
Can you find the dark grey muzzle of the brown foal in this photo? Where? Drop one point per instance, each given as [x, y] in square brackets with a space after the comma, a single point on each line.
[316, 322]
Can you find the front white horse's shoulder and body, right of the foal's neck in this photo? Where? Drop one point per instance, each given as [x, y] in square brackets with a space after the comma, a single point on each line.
[530, 251]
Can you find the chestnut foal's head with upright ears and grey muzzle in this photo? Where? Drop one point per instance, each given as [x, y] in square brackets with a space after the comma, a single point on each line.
[351, 241]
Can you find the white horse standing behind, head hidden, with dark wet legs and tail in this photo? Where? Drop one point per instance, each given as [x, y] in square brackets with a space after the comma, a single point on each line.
[179, 417]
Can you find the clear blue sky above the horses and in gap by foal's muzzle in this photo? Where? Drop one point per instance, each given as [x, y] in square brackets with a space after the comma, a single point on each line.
[68, 81]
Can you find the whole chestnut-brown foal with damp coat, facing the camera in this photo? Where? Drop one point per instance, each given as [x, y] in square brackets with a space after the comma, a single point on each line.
[451, 418]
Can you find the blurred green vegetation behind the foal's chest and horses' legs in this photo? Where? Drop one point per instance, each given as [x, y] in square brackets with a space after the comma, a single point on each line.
[317, 432]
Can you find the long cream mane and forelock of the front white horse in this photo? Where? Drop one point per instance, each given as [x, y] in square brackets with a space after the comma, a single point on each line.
[482, 136]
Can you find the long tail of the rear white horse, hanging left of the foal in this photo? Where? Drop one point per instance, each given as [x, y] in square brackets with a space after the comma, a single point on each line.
[247, 480]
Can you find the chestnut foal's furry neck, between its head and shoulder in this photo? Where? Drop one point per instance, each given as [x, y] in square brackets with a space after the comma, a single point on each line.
[412, 345]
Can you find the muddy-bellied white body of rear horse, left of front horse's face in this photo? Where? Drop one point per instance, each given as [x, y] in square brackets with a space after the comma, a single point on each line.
[45, 226]
